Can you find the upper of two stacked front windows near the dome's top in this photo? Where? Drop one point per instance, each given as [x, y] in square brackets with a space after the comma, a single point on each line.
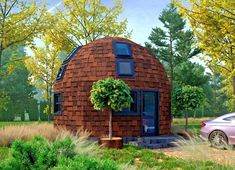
[122, 50]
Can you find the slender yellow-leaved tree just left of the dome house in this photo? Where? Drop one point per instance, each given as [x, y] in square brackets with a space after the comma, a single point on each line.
[44, 66]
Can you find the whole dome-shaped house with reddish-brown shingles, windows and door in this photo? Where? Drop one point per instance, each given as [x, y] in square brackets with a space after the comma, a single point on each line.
[119, 58]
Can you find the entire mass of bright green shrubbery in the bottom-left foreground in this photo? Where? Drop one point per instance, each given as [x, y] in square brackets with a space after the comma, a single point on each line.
[39, 154]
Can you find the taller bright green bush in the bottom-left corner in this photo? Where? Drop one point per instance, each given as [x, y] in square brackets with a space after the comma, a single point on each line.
[38, 154]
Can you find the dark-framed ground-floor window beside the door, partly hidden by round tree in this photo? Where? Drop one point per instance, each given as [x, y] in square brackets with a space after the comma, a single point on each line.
[134, 108]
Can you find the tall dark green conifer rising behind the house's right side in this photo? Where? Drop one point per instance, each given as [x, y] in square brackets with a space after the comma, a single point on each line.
[172, 45]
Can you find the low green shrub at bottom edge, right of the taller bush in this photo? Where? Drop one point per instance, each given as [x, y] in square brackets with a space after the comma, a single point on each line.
[86, 163]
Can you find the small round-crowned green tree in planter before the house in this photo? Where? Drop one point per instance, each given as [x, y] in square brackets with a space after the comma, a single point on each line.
[110, 94]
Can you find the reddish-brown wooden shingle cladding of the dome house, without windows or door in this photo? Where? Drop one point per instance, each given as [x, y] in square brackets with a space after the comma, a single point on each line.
[96, 61]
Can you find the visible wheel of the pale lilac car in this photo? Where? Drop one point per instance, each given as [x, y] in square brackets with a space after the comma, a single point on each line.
[218, 139]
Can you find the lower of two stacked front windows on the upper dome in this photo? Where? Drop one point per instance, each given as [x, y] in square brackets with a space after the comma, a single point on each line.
[125, 68]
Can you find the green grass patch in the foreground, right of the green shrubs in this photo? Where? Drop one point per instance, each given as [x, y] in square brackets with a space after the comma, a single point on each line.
[148, 159]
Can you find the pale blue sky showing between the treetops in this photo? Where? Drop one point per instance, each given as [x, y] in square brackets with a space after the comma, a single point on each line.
[142, 15]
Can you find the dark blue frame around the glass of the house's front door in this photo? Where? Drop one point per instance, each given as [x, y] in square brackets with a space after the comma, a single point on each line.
[157, 112]
